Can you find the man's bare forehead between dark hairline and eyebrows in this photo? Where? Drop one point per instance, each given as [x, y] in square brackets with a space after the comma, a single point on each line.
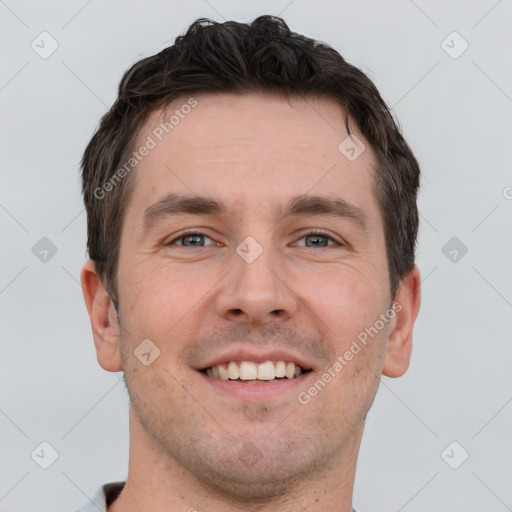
[251, 149]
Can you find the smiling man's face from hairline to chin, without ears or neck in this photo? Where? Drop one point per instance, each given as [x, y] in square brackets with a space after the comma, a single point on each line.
[266, 276]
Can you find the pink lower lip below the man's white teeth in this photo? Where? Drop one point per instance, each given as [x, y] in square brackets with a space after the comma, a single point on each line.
[263, 391]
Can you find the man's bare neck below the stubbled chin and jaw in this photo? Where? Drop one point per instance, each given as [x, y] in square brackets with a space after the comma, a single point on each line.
[156, 482]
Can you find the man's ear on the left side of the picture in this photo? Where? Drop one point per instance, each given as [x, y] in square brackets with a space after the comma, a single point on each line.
[105, 328]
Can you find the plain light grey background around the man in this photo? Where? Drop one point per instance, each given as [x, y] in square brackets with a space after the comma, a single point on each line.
[455, 113]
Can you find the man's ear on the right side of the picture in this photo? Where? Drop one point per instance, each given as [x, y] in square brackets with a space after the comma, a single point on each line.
[406, 307]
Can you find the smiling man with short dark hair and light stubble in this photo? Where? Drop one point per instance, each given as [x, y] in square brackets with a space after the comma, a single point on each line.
[252, 224]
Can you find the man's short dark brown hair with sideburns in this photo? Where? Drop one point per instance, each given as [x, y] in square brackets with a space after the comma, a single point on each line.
[232, 57]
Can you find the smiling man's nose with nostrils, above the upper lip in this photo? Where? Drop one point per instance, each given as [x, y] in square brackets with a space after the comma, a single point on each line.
[256, 292]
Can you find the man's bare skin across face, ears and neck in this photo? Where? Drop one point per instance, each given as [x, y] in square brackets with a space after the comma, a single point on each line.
[249, 152]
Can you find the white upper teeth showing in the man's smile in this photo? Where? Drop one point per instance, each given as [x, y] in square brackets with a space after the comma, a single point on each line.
[247, 370]
